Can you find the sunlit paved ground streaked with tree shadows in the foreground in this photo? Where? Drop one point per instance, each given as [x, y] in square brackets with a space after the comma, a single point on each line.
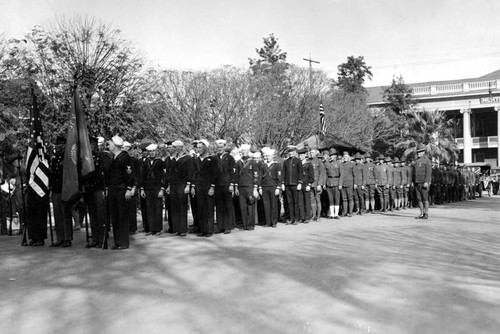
[372, 274]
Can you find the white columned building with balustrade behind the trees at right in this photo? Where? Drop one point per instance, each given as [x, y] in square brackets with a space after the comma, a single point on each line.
[474, 104]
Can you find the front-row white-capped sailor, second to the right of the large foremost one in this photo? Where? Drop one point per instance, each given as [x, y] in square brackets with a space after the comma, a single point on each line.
[179, 186]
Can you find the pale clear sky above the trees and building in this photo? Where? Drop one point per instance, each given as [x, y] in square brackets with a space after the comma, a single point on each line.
[421, 40]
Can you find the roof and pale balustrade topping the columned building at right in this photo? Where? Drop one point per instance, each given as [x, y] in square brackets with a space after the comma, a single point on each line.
[375, 94]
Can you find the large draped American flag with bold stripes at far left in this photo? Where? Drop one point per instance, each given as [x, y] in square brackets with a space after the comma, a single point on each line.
[37, 165]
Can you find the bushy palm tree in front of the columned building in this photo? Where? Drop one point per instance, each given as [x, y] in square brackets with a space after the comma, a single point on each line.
[434, 131]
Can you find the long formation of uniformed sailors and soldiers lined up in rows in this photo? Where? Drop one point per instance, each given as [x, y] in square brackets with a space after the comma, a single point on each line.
[223, 187]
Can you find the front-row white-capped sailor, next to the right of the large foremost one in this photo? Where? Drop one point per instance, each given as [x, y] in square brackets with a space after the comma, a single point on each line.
[152, 189]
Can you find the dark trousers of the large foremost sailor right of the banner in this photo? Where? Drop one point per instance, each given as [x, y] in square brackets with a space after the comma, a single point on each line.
[119, 214]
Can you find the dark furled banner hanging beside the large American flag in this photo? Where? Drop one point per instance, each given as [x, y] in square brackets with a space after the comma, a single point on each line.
[78, 160]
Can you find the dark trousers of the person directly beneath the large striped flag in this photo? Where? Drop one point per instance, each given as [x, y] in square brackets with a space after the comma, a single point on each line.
[36, 215]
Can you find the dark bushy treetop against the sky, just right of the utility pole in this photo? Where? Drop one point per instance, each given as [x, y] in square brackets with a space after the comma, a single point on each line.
[352, 74]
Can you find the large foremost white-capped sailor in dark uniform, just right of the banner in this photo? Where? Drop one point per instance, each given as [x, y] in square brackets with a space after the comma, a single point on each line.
[120, 189]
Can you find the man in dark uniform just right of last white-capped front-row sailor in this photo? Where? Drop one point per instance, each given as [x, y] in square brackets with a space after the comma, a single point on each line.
[292, 184]
